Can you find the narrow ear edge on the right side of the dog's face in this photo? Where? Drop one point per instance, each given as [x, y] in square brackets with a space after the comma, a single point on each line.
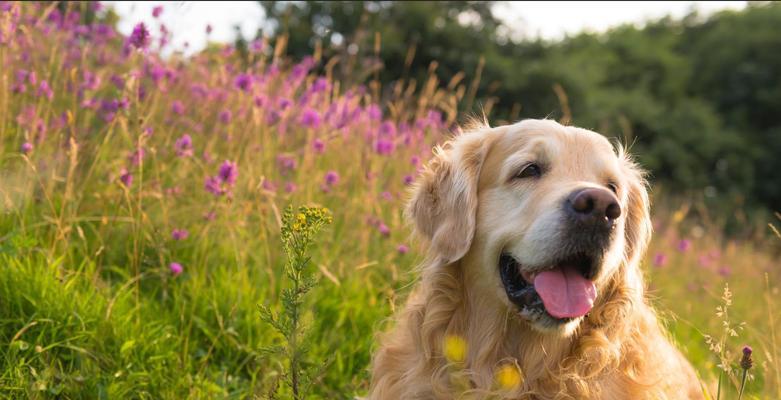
[638, 220]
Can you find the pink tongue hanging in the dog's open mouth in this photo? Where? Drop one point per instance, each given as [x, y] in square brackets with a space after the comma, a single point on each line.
[565, 292]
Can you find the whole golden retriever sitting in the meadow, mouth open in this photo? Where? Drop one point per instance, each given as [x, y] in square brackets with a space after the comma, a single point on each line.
[535, 232]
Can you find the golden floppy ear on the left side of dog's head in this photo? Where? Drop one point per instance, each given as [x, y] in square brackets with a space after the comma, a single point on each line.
[444, 201]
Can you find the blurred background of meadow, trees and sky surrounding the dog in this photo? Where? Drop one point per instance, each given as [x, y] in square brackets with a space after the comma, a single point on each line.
[148, 150]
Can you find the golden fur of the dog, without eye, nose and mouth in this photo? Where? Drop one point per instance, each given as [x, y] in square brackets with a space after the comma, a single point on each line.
[463, 208]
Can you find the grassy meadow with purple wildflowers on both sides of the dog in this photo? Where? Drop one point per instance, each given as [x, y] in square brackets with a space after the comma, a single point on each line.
[141, 202]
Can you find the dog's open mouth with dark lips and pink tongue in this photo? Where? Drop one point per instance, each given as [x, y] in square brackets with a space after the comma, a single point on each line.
[561, 292]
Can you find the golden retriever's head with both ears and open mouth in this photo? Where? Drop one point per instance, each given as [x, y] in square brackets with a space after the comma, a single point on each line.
[543, 216]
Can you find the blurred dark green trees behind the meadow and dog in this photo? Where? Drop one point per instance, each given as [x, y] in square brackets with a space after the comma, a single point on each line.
[698, 98]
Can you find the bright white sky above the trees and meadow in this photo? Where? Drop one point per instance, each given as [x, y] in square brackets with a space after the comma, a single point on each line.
[549, 20]
